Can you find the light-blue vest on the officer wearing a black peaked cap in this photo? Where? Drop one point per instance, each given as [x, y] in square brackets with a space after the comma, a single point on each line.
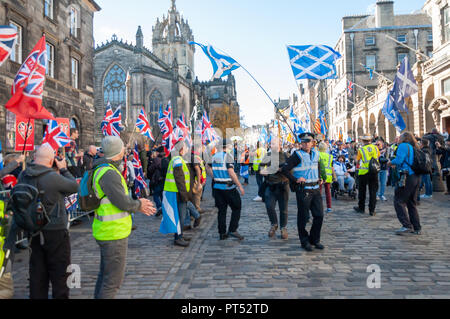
[308, 168]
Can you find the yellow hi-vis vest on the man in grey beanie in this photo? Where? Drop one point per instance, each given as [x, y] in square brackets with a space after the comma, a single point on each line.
[110, 223]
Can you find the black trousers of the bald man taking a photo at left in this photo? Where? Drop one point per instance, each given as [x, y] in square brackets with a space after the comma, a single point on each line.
[48, 263]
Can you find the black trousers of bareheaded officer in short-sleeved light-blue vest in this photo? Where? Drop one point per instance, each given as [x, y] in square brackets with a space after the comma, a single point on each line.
[225, 198]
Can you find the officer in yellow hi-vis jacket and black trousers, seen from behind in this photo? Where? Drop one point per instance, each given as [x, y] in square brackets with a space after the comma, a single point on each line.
[365, 154]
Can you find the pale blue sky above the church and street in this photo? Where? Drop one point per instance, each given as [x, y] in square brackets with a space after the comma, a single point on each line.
[253, 32]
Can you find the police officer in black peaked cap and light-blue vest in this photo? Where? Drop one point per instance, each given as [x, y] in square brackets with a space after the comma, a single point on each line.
[305, 181]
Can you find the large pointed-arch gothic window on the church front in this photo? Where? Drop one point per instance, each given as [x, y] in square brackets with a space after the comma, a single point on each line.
[114, 88]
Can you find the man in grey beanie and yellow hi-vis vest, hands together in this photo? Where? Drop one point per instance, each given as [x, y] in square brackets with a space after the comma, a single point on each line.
[112, 223]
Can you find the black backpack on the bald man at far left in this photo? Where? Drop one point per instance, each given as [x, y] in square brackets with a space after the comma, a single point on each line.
[29, 211]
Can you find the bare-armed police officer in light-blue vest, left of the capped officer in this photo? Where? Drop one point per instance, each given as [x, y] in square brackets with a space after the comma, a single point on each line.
[225, 192]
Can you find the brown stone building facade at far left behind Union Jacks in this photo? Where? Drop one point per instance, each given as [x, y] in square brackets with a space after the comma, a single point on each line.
[69, 89]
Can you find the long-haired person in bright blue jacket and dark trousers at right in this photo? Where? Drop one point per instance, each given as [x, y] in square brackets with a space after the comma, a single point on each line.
[405, 196]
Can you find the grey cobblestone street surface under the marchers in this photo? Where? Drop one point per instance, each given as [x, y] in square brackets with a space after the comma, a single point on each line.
[258, 267]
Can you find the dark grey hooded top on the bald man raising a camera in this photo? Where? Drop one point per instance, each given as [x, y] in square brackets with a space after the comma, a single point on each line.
[56, 187]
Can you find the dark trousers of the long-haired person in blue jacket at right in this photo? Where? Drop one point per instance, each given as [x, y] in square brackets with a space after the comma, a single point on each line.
[405, 203]
